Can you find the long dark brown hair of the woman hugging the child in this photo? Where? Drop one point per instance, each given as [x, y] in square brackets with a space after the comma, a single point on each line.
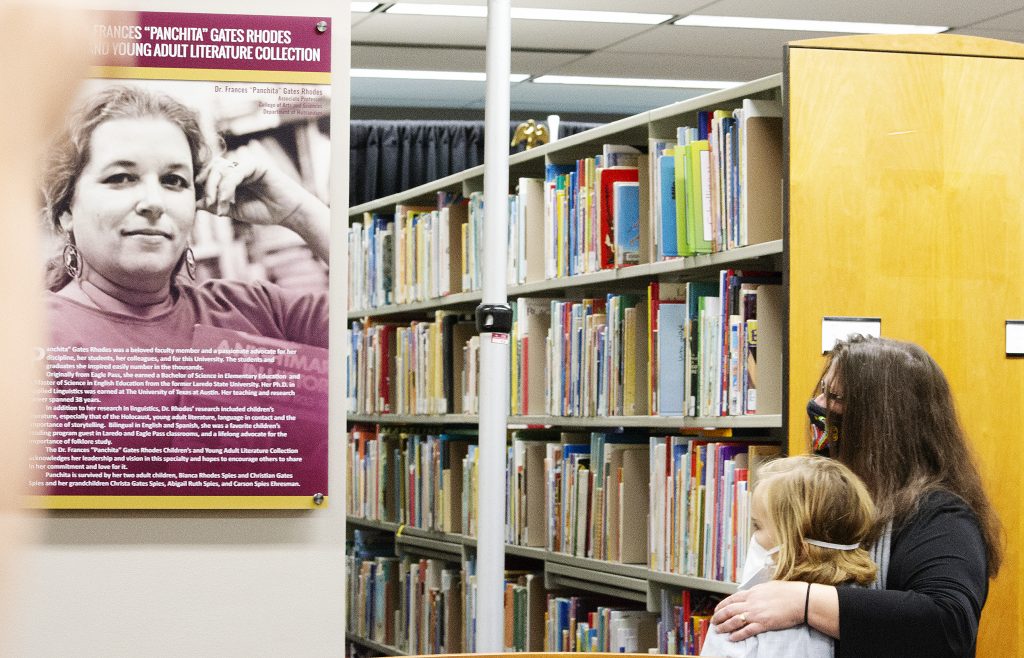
[901, 432]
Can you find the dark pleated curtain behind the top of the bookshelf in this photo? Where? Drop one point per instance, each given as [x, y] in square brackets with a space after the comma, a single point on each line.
[390, 157]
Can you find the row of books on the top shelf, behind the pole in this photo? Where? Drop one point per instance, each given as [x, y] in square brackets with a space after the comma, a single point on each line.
[716, 187]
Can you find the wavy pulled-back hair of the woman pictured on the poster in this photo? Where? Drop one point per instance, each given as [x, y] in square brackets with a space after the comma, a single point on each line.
[70, 153]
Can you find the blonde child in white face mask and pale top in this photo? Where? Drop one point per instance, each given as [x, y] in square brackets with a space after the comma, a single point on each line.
[818, 513]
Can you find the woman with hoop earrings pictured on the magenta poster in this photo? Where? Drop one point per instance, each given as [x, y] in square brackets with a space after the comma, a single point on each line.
[123, 187]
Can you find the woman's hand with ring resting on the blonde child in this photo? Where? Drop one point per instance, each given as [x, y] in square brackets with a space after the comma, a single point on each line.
[770, 606]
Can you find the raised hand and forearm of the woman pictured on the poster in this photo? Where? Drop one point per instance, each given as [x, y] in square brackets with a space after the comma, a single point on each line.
[244, 186]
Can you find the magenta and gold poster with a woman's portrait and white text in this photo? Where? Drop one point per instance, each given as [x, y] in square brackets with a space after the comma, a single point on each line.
[186, 212]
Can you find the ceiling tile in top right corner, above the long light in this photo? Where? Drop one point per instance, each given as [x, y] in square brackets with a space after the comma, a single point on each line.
[905, 12]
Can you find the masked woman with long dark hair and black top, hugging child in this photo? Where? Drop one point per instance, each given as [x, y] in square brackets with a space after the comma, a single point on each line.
[884, 409]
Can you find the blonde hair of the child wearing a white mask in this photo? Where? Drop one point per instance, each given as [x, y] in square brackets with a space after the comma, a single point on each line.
[813, 498]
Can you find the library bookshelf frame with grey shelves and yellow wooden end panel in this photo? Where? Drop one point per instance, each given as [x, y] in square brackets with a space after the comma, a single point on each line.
[869, 123]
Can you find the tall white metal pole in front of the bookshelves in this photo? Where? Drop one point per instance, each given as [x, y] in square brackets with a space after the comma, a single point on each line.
[494, 393]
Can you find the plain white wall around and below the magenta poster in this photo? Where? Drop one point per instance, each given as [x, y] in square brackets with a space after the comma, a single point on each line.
[225, 584]
